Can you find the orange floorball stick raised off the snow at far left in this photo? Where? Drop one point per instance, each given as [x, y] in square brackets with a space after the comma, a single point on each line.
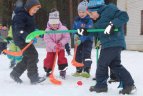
[19, 53]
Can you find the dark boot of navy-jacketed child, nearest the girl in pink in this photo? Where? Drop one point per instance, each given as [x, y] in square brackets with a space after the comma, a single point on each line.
[35, 79]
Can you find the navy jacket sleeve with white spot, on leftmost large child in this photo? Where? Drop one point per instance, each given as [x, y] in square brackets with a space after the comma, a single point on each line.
[19, 24]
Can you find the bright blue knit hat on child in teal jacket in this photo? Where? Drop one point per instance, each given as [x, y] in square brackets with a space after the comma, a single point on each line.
[94, 5]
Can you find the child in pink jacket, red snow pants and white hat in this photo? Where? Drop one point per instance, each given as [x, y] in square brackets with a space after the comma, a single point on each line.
[54, 41]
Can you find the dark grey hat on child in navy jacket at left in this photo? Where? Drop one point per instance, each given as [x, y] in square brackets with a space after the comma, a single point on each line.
[31, 3]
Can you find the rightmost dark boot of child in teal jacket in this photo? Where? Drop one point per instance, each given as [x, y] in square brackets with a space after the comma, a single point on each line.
[128, 90]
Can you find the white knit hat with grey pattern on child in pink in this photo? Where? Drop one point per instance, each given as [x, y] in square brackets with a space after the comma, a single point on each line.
[54, 17]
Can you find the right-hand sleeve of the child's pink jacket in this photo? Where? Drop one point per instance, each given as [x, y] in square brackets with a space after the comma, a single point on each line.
[65, 38]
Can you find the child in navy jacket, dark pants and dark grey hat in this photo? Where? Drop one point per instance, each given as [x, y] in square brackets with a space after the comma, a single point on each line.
[23, 24]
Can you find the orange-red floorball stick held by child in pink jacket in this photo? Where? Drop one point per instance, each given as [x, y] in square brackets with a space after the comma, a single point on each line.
[52, 78]
